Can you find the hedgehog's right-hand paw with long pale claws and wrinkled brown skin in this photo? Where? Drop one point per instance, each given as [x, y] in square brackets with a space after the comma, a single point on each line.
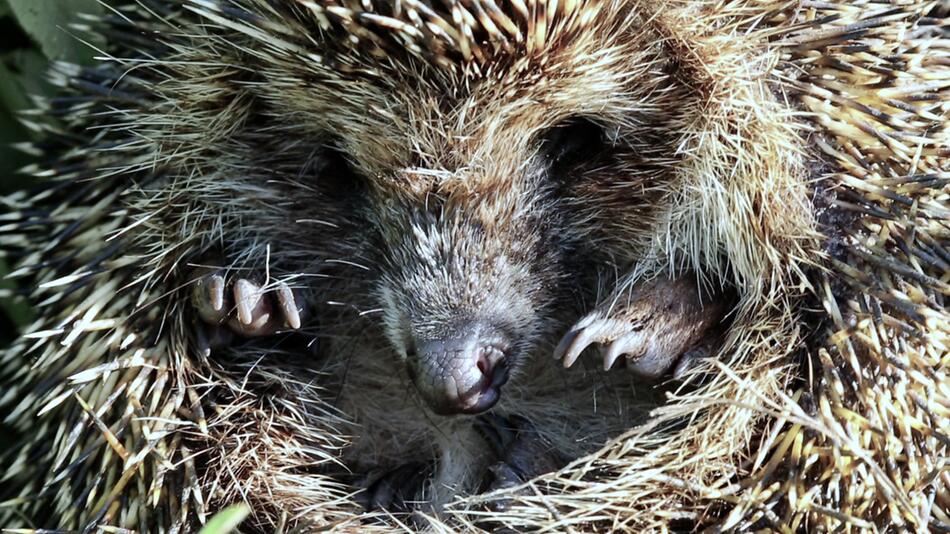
[663, 325]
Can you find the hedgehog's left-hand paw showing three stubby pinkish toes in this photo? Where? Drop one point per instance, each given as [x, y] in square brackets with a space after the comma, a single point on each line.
[244, 307]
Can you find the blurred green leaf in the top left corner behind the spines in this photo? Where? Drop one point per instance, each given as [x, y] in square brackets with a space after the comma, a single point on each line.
[47, 22]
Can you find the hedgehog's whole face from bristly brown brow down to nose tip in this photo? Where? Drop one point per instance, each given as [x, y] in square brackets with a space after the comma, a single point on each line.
[492, 186]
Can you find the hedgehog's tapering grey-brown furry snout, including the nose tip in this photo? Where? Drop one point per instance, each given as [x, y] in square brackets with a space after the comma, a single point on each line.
[470, 258]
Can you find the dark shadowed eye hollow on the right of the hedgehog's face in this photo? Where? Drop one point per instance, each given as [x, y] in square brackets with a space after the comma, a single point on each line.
[571, 143]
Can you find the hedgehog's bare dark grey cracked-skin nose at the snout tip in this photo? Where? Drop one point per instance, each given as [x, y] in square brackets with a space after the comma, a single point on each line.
[461, 373]
